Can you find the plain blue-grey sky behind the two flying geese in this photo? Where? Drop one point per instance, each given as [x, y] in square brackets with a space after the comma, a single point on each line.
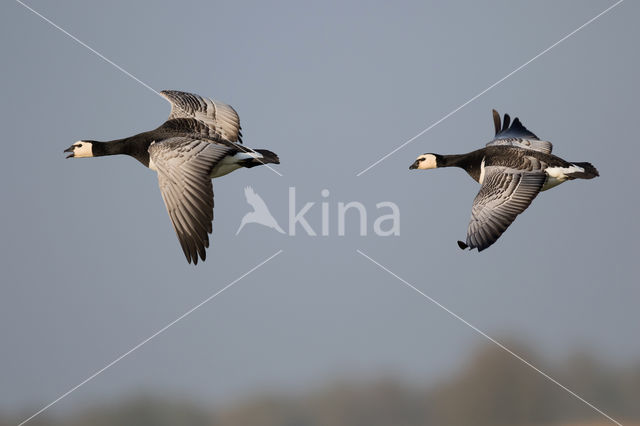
[91, 266]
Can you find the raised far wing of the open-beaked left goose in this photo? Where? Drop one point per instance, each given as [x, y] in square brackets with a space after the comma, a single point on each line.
[193, 113]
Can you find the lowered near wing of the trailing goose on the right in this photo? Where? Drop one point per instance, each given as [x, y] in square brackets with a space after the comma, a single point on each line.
[505, 193]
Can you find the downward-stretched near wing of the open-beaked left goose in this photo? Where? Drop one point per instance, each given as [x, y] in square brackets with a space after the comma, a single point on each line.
[184, 166]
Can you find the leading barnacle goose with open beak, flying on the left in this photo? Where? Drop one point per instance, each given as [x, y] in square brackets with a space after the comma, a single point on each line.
[200, 140]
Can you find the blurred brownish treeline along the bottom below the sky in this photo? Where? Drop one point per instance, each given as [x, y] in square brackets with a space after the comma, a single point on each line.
[493, 389]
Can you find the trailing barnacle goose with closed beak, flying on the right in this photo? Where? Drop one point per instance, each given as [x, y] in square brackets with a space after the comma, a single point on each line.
[512, 169]
